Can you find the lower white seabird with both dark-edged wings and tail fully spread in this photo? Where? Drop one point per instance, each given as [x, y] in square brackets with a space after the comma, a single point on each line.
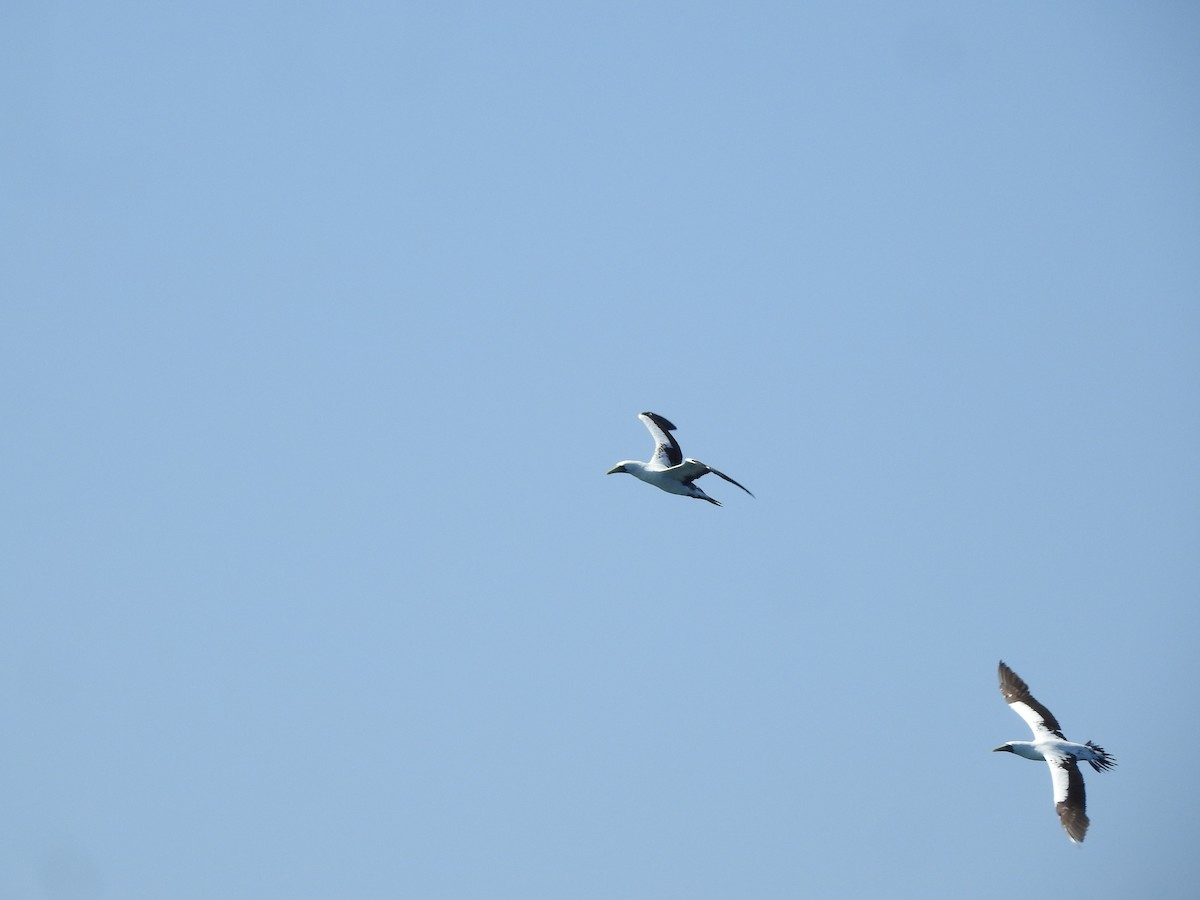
[1051, 747]
